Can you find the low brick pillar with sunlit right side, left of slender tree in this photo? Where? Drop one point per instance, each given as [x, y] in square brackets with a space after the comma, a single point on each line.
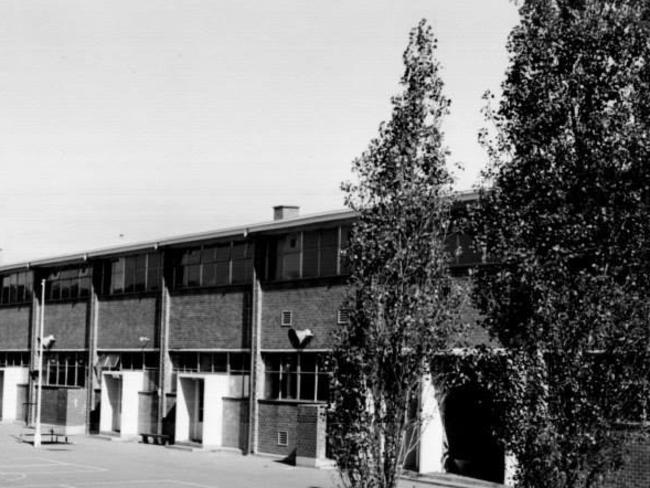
[310, 436]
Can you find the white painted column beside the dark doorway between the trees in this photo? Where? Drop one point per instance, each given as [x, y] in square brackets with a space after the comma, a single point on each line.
[432, 434]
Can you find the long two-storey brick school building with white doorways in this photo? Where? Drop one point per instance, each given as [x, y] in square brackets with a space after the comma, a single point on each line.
[214, 339]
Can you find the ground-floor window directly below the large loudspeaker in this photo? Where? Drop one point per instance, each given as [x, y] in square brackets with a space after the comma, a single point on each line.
[299, 376]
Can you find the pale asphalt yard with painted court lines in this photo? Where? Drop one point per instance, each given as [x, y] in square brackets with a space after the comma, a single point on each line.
[92, 462]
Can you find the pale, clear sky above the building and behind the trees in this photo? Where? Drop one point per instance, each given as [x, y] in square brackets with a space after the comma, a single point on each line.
[128, 120]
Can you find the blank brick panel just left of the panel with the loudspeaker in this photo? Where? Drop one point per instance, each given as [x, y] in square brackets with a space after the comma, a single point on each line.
[210, 320]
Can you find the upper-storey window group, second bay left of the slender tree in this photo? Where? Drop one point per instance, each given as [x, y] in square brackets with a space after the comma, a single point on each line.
[214, 265]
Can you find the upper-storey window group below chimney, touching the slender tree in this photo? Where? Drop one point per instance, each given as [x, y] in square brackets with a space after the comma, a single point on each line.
[308, 254]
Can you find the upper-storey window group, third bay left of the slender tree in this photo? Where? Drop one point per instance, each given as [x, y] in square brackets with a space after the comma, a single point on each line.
[133, 274]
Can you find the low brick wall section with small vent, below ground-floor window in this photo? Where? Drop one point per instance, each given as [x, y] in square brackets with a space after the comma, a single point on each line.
[274, 417]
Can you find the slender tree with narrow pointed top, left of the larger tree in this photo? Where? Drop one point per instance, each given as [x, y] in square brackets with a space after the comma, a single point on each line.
[401, 296]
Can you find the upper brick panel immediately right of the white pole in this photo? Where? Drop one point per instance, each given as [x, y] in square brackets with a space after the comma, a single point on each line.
[68, 323]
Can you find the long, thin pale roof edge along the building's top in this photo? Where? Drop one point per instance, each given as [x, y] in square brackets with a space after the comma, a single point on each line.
[239, 231]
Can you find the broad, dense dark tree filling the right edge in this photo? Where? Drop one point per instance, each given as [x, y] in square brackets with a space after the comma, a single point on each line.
[566, 219]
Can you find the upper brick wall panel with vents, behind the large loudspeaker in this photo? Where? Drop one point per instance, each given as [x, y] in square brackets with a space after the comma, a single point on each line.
[313, 307]
